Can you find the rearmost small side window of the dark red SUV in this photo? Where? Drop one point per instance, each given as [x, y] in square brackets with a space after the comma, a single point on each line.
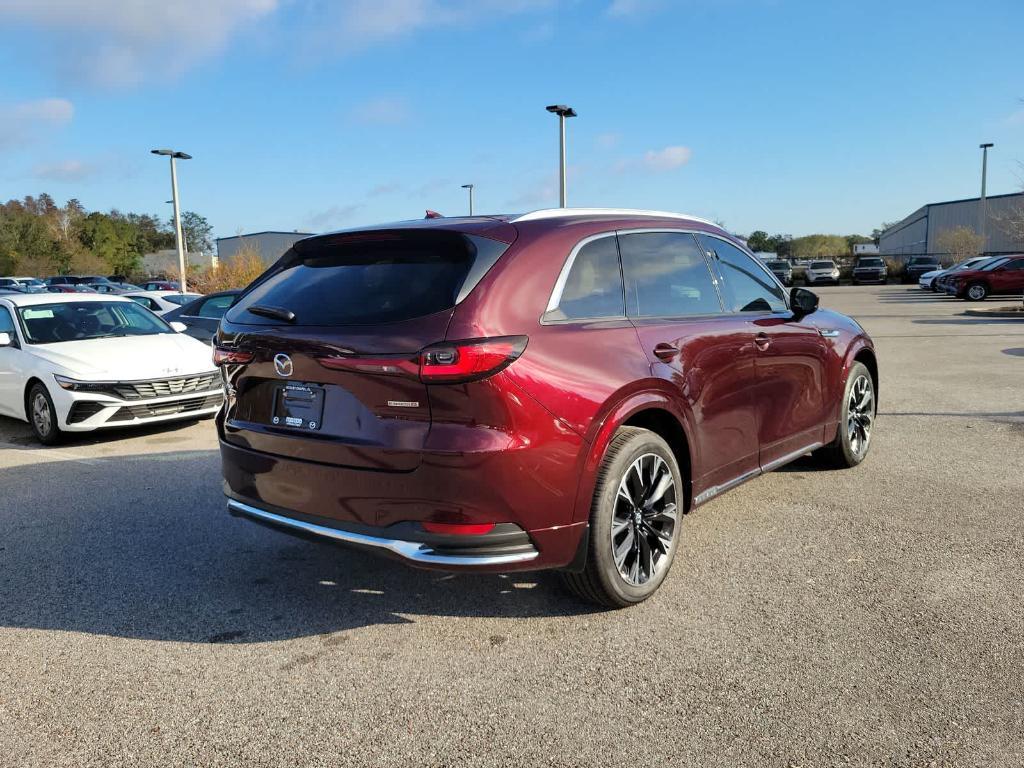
[594, 286]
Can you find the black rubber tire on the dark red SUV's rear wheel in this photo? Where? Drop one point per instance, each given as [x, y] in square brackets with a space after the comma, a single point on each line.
[602, 581]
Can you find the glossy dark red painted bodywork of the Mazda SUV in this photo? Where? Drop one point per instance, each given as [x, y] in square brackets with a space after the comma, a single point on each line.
[525, 446]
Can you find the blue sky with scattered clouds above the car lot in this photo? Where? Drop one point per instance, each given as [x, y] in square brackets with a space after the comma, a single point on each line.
[786, 116]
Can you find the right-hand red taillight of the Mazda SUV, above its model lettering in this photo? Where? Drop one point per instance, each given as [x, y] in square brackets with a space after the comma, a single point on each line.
[450, 363]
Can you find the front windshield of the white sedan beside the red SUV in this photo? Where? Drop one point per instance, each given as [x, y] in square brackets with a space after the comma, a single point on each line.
[78, 321]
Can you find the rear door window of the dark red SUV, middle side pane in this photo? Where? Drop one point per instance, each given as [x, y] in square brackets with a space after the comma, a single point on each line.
[667, 276]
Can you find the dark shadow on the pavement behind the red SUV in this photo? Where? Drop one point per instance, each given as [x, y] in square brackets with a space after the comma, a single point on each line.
[143, 547]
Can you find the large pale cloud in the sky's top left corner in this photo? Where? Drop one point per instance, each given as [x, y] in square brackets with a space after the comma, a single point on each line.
[122, 42]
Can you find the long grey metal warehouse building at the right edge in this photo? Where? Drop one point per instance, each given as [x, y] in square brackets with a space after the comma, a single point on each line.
[917, 234]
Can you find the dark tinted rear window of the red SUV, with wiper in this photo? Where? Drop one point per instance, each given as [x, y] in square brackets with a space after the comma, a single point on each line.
[370, 278]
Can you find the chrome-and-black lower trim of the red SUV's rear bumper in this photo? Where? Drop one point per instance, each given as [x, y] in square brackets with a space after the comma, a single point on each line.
[507, 547]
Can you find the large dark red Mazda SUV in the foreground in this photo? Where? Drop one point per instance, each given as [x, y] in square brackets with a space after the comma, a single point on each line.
[553, 391]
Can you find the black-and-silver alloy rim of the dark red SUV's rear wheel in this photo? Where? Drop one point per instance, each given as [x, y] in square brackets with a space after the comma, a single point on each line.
[645, 520]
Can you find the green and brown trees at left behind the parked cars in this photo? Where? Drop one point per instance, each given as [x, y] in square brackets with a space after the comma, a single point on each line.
[38, 238]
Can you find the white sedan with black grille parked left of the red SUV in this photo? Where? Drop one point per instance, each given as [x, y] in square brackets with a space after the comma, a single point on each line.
[75, 363]
